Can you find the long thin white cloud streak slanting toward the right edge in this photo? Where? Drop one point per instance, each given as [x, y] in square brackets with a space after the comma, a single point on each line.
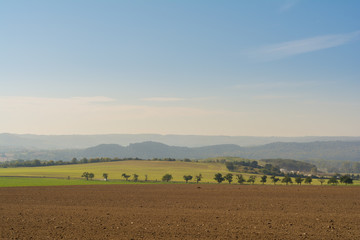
[291, 48]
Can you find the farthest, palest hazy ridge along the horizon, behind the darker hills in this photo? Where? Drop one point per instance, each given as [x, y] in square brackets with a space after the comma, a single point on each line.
[31, 141]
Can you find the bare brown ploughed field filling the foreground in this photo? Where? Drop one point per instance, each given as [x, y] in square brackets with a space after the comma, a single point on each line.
[179, 211]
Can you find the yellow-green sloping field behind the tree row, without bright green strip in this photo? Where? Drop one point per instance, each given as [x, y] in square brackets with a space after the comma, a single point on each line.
[153, 169]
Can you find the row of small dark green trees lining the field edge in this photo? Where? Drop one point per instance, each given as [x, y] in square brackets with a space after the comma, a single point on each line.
[239, 178]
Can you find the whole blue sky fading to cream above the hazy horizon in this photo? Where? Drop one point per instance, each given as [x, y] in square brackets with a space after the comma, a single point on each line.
[205, 67]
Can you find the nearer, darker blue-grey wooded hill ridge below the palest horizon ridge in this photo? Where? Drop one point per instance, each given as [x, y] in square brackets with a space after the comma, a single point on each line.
[335, 150]
